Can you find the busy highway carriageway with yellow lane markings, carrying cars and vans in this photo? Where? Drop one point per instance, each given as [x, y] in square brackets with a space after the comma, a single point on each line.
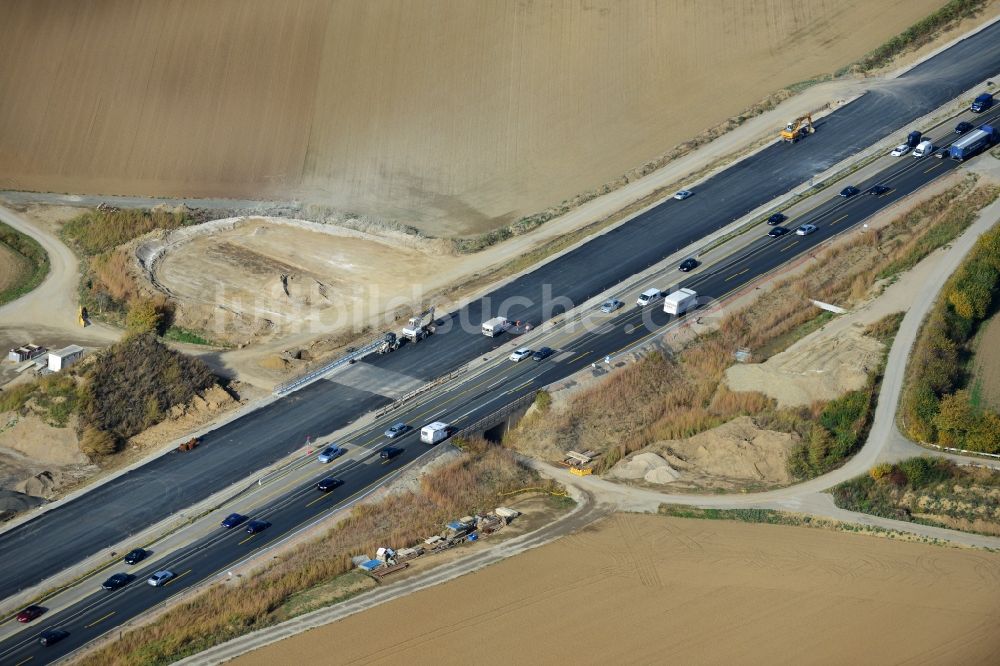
[295, 504]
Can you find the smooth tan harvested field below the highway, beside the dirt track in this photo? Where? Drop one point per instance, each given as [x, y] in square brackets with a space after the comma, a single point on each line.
[645, 588]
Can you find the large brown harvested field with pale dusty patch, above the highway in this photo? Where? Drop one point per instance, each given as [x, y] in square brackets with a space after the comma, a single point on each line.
[455, 116]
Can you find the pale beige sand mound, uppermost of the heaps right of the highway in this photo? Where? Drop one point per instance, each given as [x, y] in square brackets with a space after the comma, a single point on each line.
[821, 366]
